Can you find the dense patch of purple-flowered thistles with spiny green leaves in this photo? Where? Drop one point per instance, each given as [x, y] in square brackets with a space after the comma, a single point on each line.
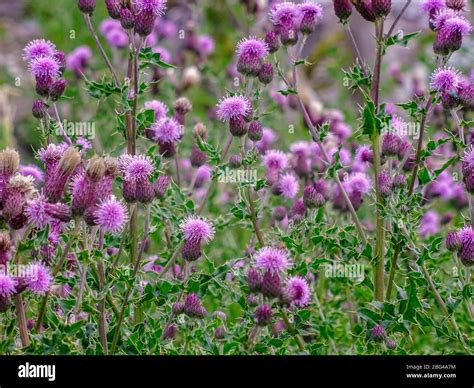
[230, 201]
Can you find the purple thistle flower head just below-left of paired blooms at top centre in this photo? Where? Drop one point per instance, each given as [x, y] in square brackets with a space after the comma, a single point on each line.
[250, 55]
